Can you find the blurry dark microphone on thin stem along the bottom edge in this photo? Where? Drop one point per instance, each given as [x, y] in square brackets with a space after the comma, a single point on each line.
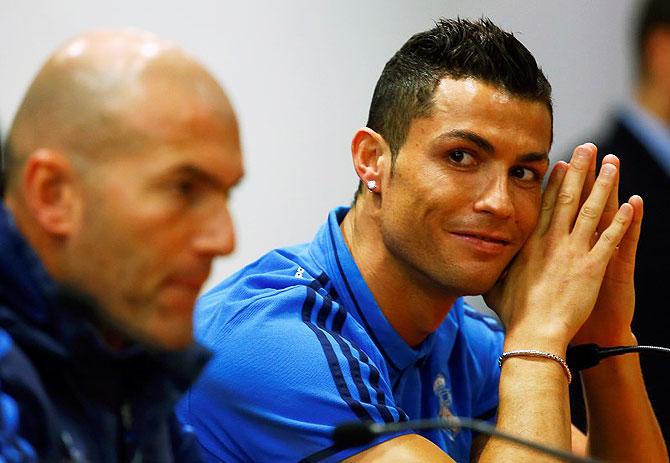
[359, 433]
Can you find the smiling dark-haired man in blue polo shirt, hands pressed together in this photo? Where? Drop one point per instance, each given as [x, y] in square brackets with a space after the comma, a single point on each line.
[367, 323]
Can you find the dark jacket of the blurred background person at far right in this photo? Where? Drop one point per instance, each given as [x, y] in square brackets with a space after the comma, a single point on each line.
[642, 175]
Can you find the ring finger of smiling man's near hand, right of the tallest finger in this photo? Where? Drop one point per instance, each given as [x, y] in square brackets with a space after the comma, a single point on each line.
[592, 210]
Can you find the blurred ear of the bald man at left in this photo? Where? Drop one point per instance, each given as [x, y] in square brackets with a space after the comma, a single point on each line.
[49, 190]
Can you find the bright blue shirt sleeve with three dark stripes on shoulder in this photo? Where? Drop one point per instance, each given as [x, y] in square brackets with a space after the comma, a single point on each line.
[281, 378]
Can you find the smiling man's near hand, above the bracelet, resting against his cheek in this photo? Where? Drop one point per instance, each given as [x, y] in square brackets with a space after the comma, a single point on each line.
[552, 285]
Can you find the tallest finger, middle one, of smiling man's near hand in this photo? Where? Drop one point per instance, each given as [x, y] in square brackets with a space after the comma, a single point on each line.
[567, 201]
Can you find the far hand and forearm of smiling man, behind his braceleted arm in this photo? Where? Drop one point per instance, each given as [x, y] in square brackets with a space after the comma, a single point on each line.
[608, 325]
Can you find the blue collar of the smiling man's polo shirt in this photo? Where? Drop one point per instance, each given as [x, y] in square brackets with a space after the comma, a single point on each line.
[357, 298]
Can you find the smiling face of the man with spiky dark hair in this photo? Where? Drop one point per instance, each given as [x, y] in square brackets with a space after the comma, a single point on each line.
[466, 188]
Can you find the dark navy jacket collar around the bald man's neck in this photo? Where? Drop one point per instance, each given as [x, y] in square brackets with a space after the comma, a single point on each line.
[45, 320]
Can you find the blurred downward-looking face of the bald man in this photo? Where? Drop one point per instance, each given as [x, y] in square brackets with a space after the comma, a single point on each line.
[153, 220]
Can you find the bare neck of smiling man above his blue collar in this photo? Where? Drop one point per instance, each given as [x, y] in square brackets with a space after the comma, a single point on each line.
[412, 304]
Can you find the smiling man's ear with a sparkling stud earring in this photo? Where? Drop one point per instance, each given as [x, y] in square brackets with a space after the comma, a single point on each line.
[371, 156]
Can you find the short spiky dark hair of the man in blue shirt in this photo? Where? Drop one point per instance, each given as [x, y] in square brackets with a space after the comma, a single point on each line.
[455, 48]
